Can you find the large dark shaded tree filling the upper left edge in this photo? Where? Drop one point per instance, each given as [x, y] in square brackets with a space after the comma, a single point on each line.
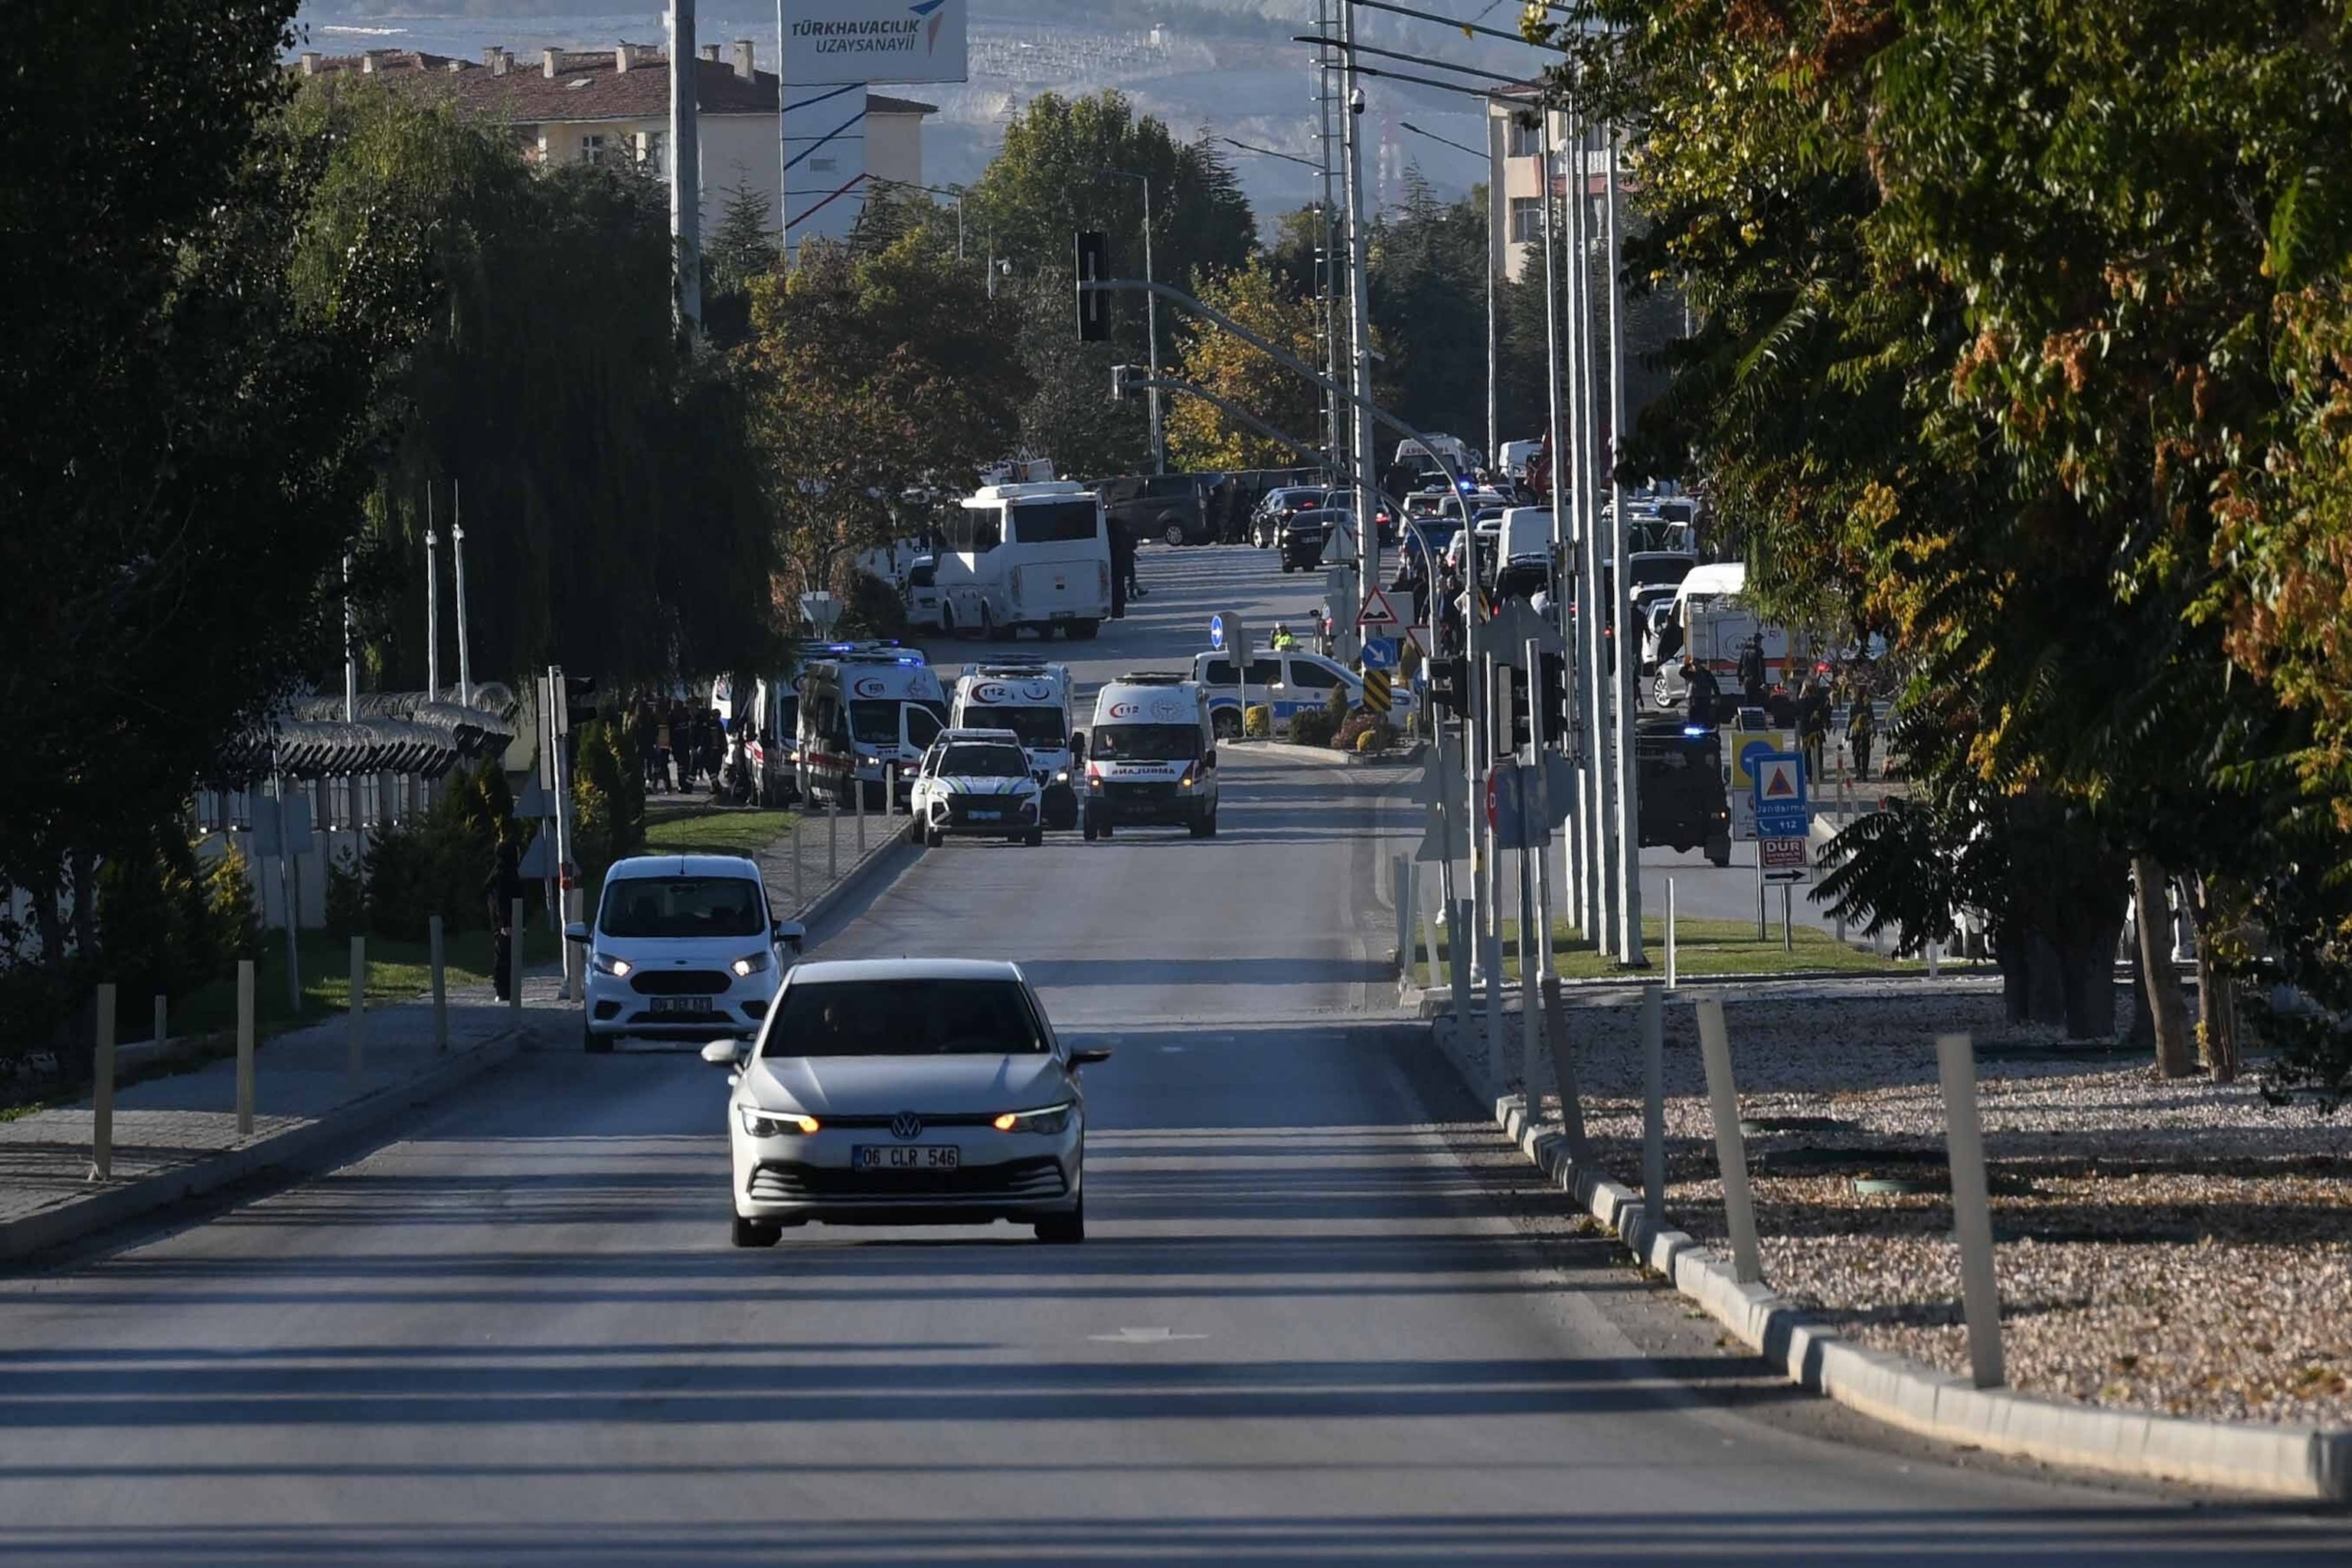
[189, 434]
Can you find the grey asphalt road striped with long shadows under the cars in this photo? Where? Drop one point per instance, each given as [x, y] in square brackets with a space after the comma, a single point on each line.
[1299, 1334]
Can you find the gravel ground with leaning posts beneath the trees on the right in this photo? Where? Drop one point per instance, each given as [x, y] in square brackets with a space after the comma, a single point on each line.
[2163, 1247]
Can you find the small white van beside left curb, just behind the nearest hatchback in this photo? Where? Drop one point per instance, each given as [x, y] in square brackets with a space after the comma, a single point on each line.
[683, 949]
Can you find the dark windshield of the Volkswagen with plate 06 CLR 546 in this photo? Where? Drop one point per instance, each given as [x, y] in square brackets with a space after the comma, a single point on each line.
[909, 1017]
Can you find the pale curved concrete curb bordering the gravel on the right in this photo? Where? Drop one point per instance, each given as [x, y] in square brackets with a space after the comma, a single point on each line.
[2306, 1463]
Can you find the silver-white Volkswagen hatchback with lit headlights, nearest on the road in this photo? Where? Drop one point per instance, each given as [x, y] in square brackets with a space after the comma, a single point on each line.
[907, 1092]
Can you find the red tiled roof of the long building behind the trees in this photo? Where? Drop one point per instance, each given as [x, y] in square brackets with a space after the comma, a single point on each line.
[587, 86]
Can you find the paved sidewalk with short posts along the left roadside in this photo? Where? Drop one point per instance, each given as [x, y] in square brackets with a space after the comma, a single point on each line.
[178, 1134]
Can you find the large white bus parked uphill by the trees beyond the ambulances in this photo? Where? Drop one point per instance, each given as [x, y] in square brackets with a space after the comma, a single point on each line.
[1024, 556]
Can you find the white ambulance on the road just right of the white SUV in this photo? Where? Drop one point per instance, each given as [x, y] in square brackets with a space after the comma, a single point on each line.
[1151, 758]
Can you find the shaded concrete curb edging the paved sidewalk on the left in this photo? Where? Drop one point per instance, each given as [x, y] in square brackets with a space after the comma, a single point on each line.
[88, 1214]
